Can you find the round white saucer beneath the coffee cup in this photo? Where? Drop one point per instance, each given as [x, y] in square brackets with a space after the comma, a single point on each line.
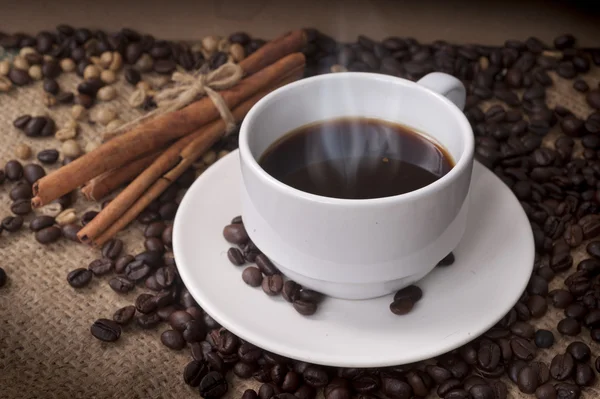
[460, 302]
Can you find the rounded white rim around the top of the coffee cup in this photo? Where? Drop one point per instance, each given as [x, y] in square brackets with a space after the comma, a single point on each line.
[464, 162]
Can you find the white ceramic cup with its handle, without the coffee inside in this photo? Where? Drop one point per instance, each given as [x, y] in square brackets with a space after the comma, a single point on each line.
[358, 249]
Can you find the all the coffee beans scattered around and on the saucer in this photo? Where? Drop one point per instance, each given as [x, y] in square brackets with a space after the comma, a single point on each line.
[556, 180]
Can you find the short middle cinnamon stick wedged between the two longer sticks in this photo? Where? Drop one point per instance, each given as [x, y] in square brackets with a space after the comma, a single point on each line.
[102, 185]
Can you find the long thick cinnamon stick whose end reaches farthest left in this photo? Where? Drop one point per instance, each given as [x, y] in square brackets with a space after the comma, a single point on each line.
[150, 136]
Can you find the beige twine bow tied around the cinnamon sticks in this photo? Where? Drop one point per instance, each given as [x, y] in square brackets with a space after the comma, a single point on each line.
[189, 86]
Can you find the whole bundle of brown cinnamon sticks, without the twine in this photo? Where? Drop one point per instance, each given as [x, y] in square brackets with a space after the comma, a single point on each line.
[153, 154]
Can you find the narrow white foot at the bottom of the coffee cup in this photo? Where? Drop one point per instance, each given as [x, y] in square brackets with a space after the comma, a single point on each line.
[353, 291]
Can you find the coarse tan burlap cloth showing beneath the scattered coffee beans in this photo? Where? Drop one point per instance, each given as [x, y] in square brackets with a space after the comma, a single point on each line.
[46, 350]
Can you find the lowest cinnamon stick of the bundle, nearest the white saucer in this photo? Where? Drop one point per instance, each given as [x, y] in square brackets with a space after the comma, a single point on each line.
[176, 159]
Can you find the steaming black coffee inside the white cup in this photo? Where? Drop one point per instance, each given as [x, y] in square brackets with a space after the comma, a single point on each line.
[355, 158]
